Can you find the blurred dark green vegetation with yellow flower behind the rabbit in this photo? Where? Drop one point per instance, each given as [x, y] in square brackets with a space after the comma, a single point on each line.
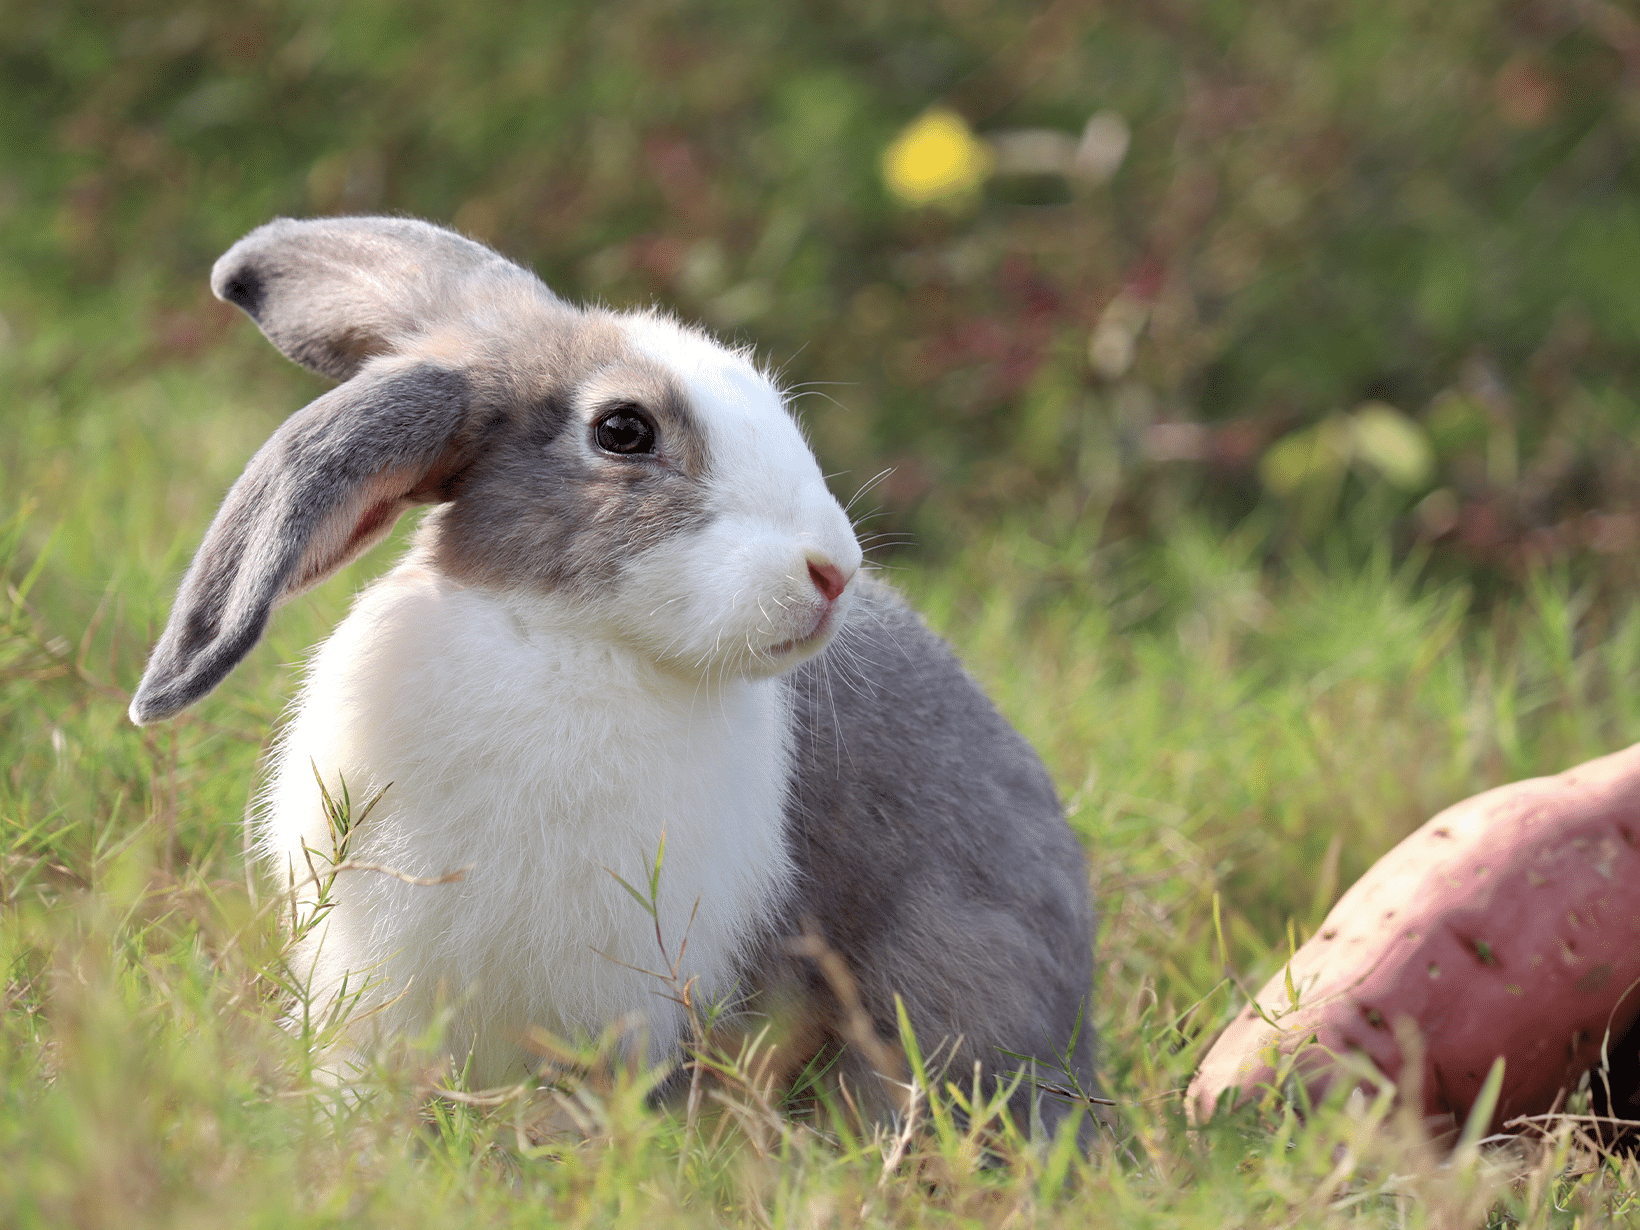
[1354, 270]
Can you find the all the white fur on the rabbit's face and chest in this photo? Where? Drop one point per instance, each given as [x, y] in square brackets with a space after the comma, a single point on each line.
[547, 742]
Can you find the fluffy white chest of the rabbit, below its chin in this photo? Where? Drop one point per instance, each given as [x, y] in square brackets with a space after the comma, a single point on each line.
[550, 765]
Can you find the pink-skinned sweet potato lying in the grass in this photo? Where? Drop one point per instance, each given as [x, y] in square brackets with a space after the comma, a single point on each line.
[1506, 926]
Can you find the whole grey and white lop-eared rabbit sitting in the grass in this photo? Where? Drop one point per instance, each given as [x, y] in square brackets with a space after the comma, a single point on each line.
[632, 616]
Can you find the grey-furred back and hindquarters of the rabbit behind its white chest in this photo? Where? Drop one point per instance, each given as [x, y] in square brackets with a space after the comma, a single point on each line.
[932, 847]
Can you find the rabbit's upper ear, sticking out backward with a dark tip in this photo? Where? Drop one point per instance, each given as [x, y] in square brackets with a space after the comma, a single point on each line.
[334, 293]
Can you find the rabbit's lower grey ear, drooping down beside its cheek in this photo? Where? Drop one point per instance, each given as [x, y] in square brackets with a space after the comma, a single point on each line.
[329, 485]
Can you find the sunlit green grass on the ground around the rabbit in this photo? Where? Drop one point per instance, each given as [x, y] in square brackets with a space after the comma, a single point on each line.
[1221, 729]
